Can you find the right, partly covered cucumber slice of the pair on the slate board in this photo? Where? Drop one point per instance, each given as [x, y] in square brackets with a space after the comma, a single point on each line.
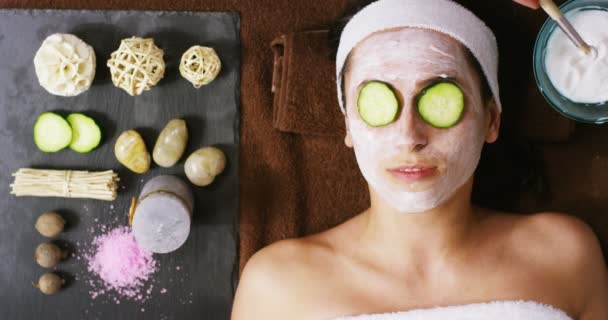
[86, 133]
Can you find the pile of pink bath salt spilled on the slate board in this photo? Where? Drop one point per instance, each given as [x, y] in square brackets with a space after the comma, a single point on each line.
[120, 262]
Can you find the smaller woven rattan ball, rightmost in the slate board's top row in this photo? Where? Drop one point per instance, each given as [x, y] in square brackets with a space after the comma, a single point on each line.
[200, 65]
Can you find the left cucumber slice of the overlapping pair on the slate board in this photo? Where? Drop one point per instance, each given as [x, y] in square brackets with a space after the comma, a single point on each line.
[51, 132]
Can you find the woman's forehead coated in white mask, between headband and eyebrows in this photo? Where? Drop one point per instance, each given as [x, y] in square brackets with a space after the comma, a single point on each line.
[409, 56]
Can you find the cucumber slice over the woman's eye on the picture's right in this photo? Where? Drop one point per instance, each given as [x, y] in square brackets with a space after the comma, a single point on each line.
[441, 104]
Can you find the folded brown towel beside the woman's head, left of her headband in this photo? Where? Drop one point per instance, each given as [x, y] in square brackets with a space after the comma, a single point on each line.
[305, 99]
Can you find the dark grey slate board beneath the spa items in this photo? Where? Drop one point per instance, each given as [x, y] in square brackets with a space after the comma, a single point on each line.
[199, 277]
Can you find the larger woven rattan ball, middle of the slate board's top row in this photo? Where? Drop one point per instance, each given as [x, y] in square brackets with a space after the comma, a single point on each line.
[137, 65]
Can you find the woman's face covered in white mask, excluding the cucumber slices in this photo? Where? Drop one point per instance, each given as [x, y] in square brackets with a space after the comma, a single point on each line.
[409, 163]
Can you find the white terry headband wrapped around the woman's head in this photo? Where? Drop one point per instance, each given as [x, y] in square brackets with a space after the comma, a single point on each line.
[442, 16]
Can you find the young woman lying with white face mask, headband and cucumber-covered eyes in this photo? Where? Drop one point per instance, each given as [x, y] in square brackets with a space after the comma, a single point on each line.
[418, 88]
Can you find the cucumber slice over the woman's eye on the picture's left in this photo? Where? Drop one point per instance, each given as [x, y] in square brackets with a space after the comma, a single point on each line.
[377, 104]
